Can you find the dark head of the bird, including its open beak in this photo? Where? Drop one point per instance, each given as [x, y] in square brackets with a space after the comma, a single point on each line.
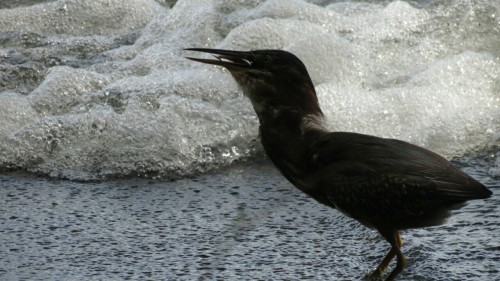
[271, 79]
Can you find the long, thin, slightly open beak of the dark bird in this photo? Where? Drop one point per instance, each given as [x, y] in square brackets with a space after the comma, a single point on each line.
[226, 58]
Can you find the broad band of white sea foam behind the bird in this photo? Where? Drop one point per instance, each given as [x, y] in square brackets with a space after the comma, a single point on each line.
[100, 89]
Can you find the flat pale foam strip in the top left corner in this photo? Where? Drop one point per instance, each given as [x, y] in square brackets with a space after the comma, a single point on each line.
[79, 18]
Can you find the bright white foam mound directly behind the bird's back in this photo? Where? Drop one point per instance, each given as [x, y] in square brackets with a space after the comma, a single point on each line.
[450, 107]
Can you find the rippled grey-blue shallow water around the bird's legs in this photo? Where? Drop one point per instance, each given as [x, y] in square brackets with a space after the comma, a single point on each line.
[243, 223]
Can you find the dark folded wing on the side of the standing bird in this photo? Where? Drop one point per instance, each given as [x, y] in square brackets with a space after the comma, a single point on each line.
[386, 180]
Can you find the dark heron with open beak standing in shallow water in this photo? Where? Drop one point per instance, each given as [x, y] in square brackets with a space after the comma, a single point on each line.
[386, 184]
